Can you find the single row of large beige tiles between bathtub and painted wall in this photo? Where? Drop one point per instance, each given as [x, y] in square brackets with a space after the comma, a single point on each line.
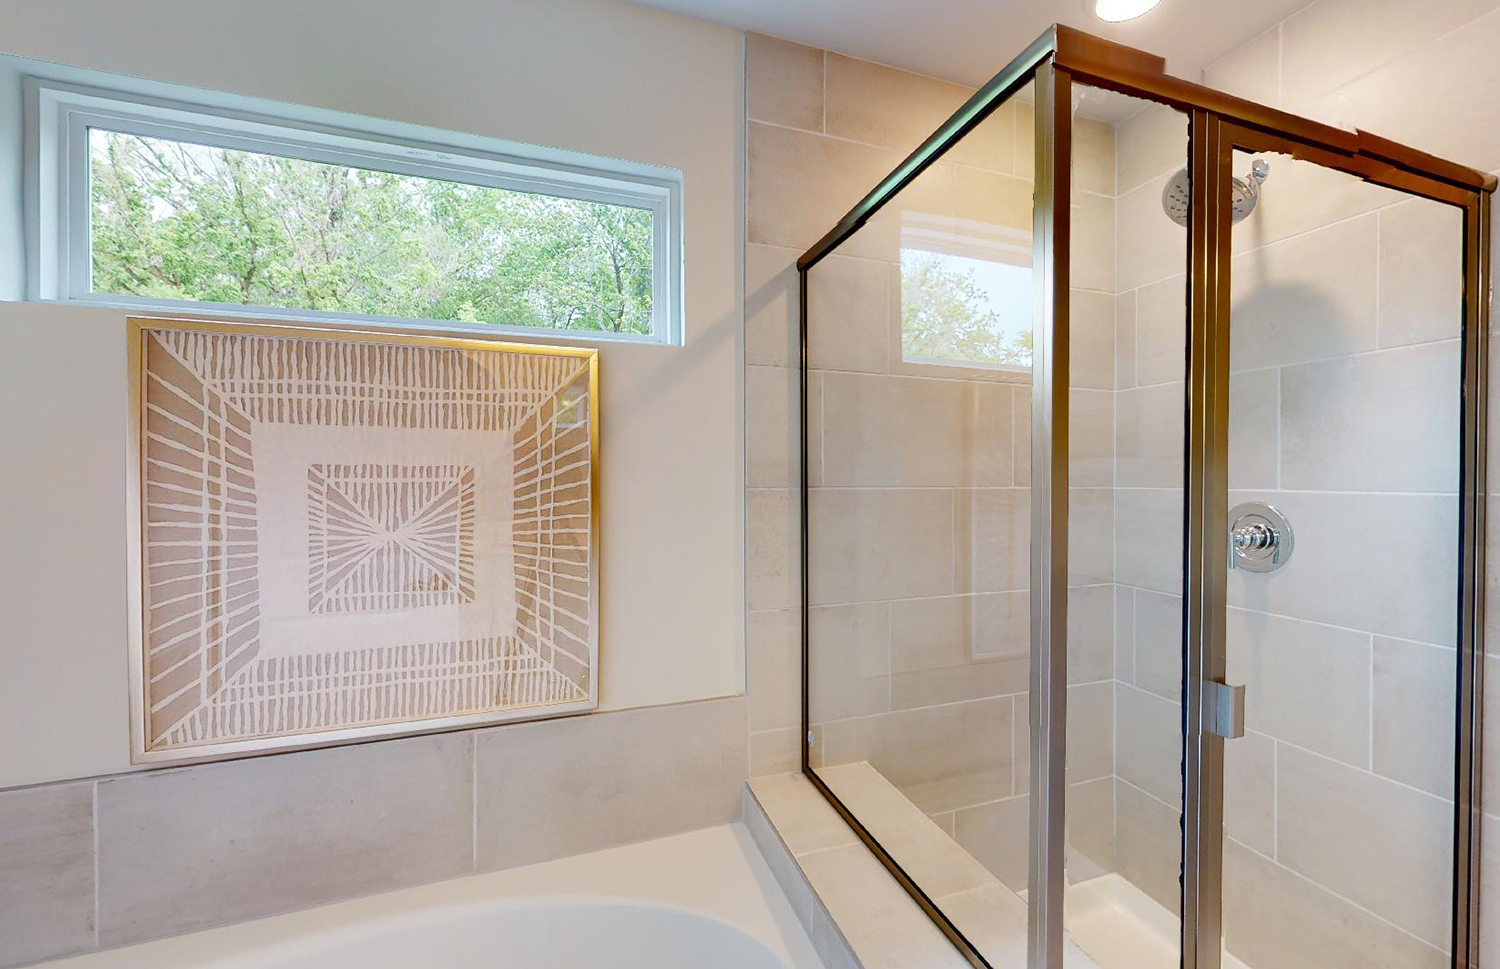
[127, 859]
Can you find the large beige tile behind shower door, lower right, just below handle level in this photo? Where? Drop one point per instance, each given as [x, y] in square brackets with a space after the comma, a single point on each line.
[1336, 826]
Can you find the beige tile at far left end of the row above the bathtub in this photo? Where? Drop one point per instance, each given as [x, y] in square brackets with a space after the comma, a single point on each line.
[47, 872]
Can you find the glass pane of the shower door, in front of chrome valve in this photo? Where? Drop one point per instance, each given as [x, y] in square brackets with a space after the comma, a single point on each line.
[1343, 473]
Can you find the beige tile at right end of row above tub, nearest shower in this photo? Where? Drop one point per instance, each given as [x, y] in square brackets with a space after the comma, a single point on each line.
[566, 787]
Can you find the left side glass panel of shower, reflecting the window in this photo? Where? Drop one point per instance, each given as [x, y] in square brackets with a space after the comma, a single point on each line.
[919, 527]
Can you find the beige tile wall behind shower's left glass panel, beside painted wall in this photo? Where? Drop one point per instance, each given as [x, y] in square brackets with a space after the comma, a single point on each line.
[920, 512]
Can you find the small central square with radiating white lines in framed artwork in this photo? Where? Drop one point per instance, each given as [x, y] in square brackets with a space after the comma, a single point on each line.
[389, 538]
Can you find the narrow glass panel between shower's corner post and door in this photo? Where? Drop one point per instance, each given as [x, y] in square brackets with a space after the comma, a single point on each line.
[1126, 467]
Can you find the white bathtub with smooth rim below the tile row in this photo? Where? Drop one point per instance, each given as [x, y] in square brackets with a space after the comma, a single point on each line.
[685, 902]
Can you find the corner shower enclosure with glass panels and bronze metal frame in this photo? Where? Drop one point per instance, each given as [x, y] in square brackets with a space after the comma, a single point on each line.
[1144, 451]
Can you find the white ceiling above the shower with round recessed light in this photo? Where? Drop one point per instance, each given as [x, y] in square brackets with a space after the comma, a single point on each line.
[968, 41]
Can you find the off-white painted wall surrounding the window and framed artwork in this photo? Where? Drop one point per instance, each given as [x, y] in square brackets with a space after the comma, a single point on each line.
[637, 85]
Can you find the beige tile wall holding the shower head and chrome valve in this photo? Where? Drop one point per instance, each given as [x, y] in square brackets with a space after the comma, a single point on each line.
[1343, 415]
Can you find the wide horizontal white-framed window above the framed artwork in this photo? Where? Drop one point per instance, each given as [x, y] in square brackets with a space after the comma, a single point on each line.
[176, 208]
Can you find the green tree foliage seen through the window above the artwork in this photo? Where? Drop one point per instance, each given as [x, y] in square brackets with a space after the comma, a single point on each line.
[179, 221]
